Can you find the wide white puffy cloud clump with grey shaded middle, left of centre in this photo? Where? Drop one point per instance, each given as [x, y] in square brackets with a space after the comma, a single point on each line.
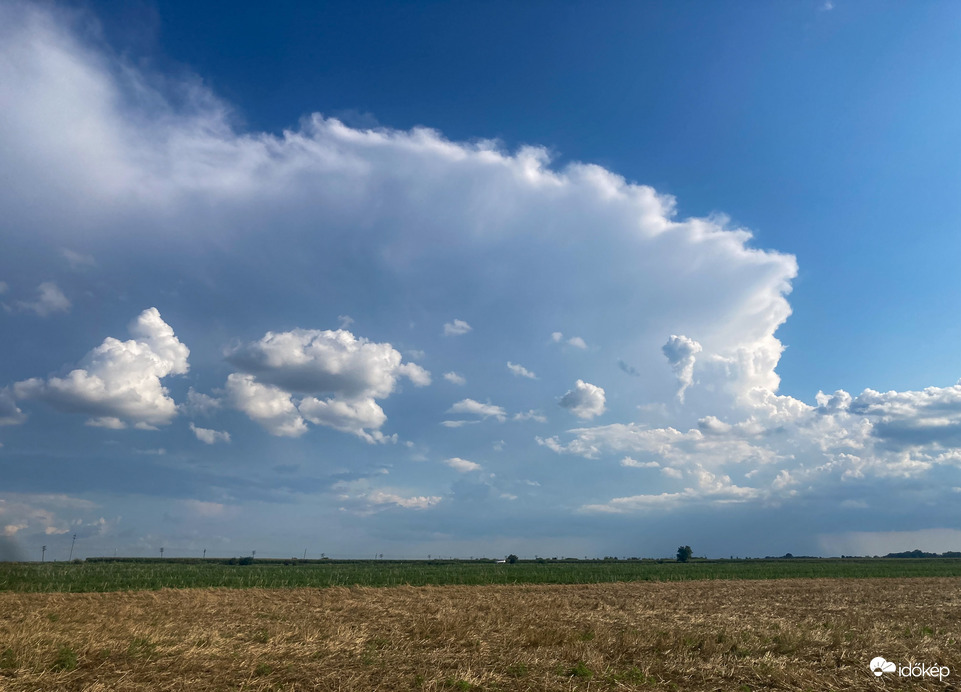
[349, 372]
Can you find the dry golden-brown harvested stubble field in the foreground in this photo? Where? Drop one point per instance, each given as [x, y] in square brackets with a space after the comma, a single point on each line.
[791, 634]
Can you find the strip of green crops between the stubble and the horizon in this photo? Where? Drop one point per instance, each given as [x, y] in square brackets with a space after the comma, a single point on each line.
[122, 575]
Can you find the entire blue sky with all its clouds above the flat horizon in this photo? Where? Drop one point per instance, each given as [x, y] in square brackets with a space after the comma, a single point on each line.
[455, 279]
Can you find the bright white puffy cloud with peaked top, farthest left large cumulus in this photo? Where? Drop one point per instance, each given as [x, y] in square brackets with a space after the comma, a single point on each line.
[119, 382]
